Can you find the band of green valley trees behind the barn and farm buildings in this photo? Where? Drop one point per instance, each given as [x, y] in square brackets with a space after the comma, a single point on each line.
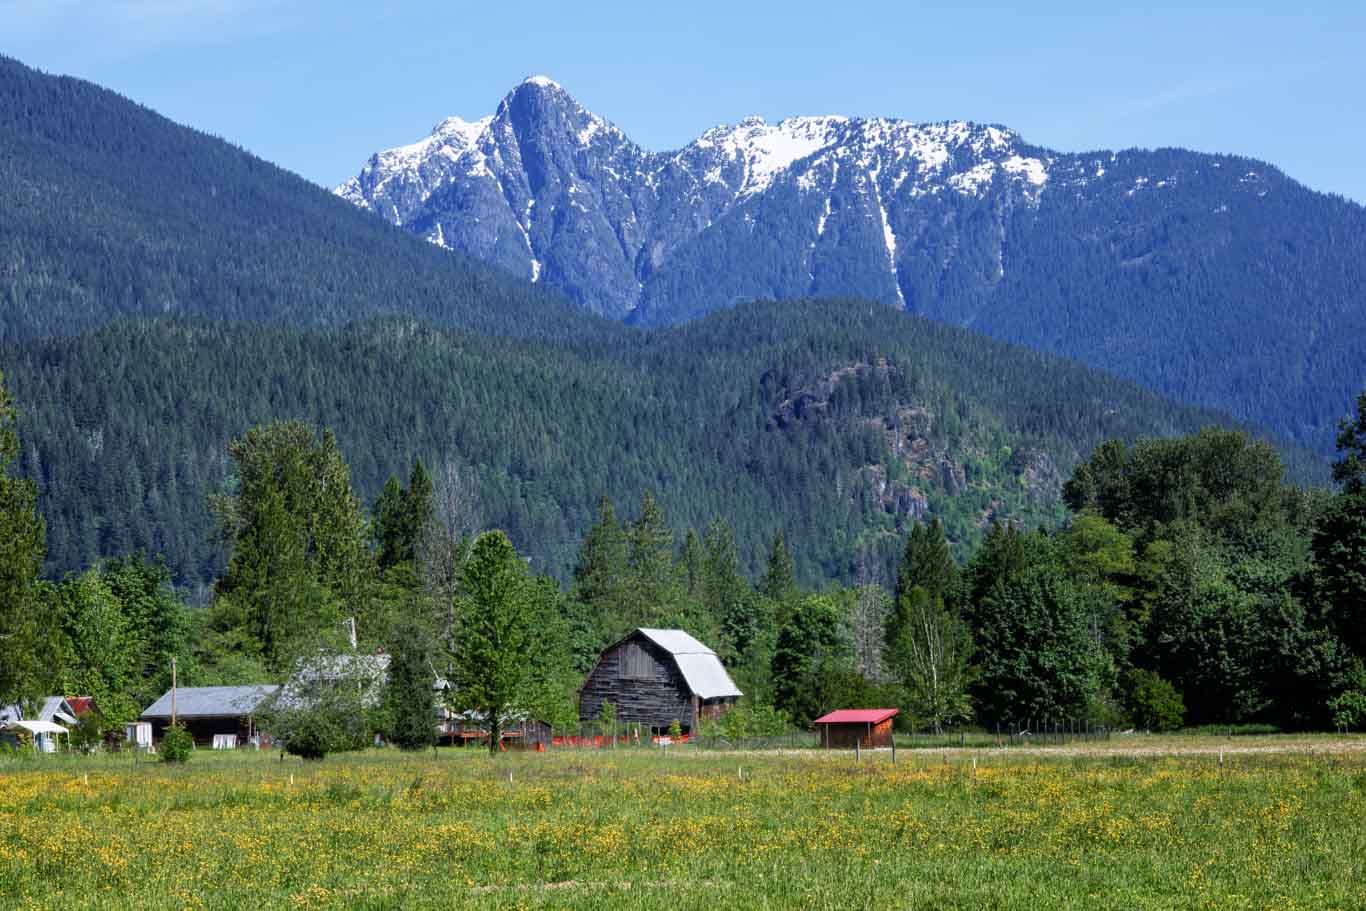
[1189, 587]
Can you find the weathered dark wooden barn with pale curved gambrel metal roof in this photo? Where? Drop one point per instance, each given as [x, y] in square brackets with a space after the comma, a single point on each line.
[658, 678]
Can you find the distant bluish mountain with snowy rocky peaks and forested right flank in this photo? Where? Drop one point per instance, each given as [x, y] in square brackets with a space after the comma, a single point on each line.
[1214, 279]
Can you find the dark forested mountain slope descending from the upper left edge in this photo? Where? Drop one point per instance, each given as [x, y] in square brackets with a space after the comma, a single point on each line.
[109, 210]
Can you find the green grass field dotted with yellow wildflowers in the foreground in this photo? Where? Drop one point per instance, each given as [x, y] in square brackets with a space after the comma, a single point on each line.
[1281, 824]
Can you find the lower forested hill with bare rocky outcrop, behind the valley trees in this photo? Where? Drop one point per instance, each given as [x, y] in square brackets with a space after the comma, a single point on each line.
[839, 421]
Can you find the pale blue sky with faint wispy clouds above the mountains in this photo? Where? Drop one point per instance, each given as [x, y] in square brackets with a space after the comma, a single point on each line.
[319, 87]
